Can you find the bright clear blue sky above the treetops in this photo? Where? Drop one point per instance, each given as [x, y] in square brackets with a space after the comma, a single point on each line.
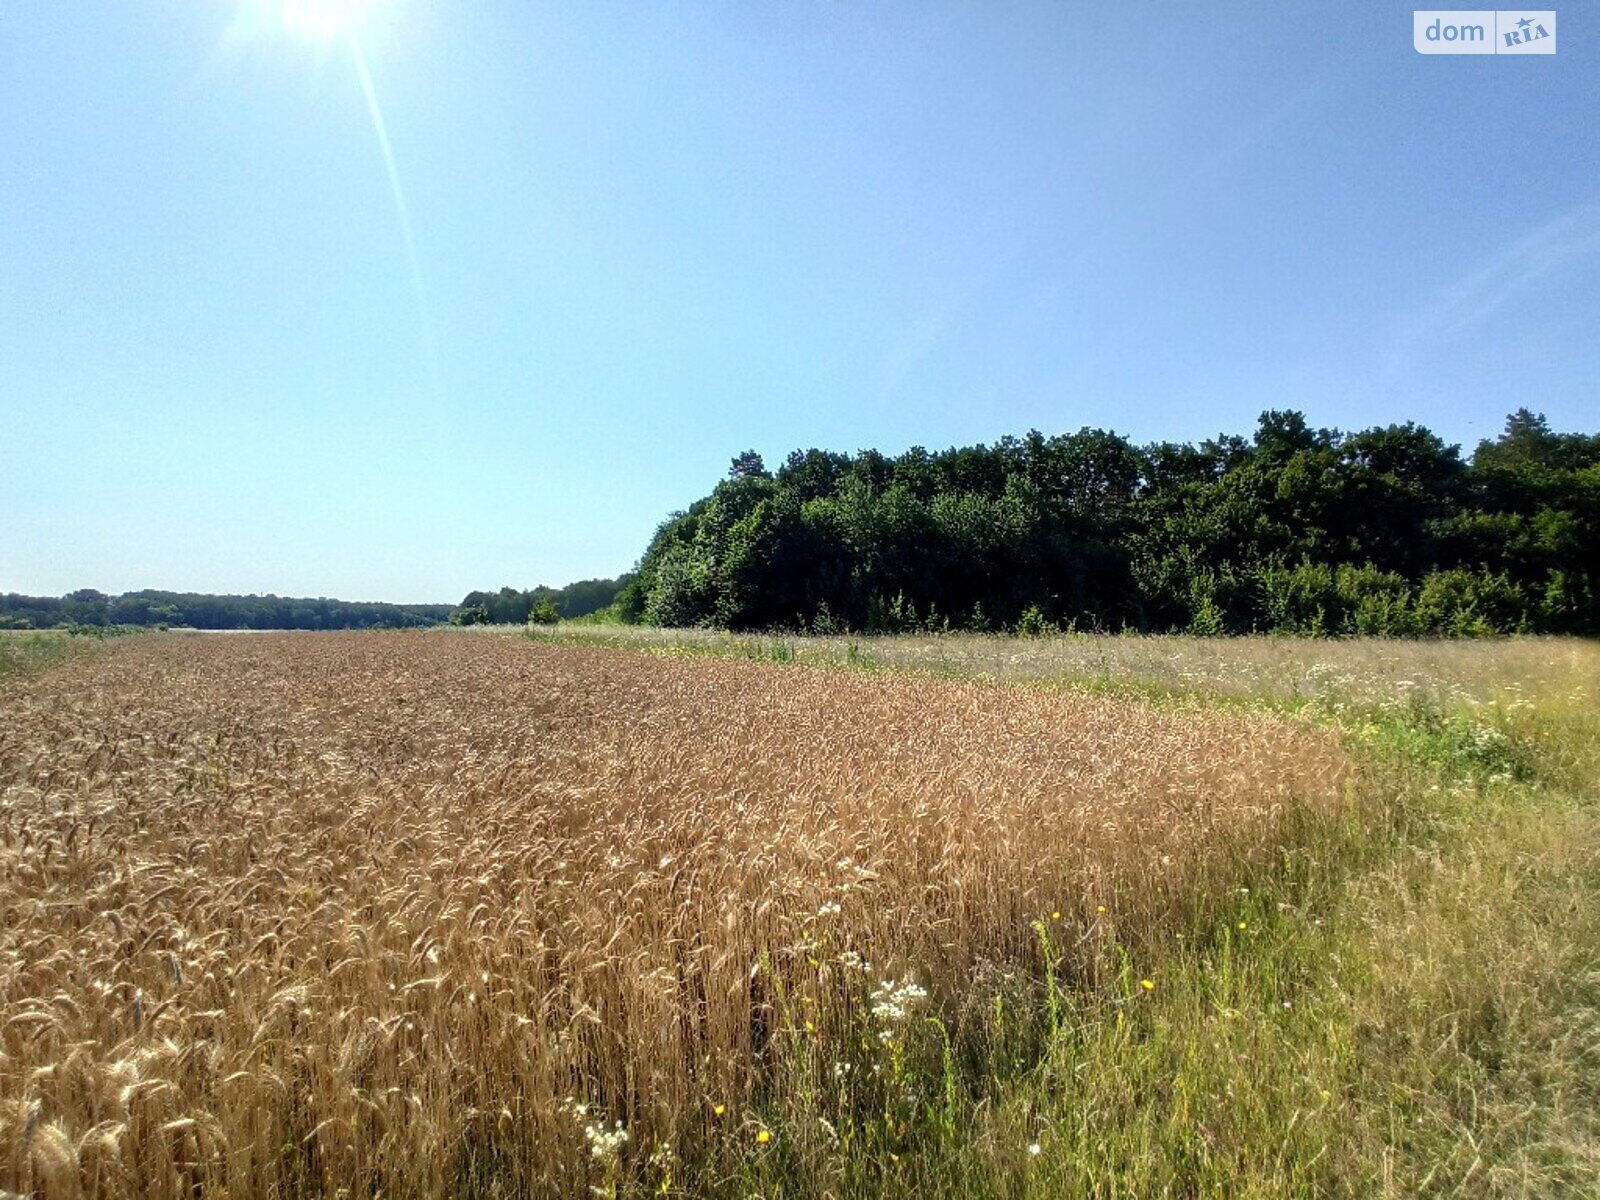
[652, 236]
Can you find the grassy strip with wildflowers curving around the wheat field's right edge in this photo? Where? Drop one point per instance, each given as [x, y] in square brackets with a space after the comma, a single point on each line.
[1409, 1004]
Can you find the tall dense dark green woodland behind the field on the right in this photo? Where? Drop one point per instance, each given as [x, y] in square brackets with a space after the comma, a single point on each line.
[1295, 529]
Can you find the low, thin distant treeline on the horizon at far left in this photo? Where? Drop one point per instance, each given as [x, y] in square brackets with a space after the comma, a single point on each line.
[198, 610]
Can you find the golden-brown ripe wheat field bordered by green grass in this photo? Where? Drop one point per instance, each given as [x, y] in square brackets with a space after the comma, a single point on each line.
[422, 916]
